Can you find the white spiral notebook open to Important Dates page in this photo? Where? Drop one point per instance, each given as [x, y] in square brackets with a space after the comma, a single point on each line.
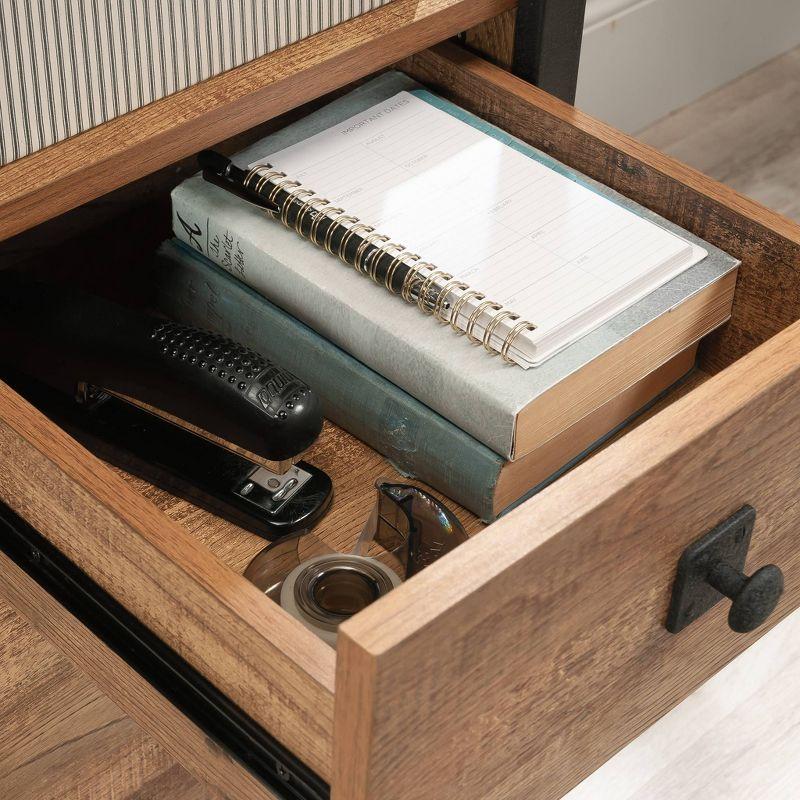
[505, 249]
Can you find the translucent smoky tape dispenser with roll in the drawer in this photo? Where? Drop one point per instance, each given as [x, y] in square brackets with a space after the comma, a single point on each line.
[407, 530]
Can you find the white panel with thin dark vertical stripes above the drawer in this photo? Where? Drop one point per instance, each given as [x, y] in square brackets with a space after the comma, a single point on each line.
[67, 65]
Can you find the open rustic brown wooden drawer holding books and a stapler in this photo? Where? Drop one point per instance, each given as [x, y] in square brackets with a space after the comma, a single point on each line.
[518, 663]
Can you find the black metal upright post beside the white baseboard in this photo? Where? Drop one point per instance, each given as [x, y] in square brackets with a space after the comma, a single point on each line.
[547, 44]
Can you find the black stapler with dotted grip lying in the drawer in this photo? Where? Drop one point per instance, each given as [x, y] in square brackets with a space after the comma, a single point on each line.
[190, 411]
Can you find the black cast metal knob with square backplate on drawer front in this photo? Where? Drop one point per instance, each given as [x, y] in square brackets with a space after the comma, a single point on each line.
[712, 566]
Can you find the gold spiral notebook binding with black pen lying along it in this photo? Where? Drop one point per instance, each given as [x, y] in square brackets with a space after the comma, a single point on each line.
[371, 253]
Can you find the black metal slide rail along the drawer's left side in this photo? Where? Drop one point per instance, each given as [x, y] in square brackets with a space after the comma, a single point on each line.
[181, 684]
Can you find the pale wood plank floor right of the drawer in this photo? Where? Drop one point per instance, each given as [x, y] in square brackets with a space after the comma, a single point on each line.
[738, 736]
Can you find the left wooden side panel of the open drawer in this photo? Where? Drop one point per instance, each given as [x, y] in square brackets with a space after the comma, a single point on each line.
[263, 661]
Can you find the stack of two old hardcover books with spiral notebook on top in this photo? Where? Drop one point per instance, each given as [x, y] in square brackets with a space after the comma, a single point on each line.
[591, 305]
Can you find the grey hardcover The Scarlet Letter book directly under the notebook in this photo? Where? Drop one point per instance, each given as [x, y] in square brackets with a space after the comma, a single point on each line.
[480, 395]
